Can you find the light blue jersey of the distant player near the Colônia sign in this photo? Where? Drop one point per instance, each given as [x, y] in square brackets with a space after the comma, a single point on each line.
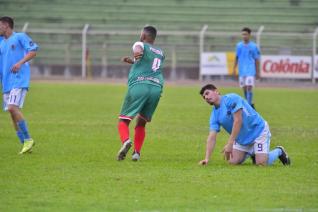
[246, 55]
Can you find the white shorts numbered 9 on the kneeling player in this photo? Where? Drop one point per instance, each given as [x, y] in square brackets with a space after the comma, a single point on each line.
[261, 144]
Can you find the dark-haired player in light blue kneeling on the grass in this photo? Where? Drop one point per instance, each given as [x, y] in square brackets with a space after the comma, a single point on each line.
[249, 132]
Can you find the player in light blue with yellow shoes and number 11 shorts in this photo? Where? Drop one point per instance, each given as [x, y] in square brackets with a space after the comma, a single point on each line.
[16, 49]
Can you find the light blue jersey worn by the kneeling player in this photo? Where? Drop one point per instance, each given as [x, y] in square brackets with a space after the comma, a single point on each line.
[252, 123]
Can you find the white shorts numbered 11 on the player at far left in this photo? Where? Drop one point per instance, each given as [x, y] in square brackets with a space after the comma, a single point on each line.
[15, 97]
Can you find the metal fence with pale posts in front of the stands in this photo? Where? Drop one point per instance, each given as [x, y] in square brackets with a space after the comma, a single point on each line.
[94, 52]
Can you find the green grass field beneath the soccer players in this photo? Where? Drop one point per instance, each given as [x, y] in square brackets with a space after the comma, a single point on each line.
[73, 166]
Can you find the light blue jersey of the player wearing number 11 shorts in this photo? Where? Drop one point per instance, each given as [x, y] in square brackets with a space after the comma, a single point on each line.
[12, 50]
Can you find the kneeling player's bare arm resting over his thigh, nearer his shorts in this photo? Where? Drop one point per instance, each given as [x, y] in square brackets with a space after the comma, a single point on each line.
[237, 124]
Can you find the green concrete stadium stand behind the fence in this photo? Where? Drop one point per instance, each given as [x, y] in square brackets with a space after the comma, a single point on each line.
[294, 16]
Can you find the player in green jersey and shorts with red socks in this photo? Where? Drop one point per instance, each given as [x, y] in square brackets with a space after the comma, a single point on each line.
[145, 82]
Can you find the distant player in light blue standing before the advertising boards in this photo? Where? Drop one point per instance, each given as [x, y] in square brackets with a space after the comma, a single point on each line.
[247, 58]
